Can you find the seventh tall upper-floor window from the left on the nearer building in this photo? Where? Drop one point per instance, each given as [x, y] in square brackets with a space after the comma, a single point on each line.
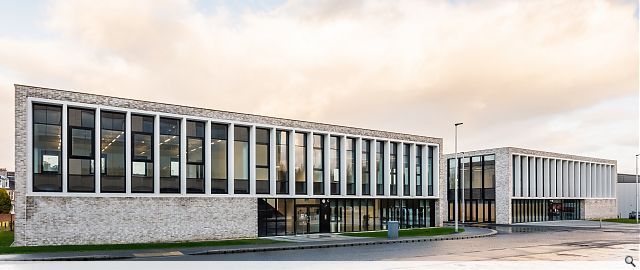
[219, 163]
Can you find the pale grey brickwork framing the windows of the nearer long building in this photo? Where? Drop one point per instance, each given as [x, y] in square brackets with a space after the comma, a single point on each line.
[69, 219]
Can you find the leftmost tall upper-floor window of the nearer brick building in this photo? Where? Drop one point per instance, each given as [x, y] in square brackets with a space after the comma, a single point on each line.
[47, 142]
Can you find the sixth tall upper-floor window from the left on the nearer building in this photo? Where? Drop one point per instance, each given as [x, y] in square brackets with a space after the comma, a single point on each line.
[195, 157]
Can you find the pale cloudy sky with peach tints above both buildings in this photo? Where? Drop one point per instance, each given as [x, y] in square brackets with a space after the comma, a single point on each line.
[559, 76]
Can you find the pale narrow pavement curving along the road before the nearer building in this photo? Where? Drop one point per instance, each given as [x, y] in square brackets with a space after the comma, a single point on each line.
[340, 241]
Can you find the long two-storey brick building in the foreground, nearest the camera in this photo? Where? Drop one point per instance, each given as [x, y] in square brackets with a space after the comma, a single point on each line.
[98, 169]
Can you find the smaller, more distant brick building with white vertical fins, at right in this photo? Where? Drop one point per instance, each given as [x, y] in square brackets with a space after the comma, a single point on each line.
[513, 185]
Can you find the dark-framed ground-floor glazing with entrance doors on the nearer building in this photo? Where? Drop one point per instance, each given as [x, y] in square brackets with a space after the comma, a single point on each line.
[303, 216]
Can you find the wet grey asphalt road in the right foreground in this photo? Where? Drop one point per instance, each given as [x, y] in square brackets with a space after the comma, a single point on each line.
[510, 244]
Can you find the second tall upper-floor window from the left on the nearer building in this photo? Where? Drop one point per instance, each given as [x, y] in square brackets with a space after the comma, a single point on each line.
[81, 124]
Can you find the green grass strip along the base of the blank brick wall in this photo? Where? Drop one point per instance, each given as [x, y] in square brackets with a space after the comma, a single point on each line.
[6, 238]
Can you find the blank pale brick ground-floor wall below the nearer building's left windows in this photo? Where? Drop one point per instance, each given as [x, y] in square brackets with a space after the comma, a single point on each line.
[91, 220]
